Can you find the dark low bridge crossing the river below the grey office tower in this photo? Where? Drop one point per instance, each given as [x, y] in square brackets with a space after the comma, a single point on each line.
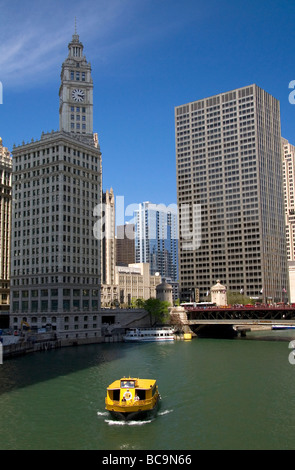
[229, 321]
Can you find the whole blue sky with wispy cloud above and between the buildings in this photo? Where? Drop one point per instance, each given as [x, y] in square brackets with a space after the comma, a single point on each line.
[147, 56]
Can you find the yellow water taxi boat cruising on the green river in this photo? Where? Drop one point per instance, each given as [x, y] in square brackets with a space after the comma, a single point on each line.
[130, 398]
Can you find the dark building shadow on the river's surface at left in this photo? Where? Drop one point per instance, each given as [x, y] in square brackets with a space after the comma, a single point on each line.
[28, 370]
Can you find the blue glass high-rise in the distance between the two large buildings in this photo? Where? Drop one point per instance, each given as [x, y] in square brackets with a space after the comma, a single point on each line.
[156, 239]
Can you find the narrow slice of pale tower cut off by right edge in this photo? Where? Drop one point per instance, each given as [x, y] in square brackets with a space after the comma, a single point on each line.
[288, 157]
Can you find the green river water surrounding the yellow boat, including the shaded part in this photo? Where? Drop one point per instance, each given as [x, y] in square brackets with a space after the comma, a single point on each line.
[216, 394]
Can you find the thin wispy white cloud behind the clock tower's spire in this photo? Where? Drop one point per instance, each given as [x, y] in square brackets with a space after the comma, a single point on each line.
[34, 34]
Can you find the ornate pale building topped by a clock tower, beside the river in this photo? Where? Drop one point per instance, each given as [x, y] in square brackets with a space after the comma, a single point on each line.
[55, 262]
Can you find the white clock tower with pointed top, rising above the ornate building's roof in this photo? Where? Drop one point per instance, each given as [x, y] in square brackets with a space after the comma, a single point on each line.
[76, 93]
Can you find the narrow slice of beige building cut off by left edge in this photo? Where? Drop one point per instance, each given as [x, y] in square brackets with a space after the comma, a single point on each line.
[5, 224]
